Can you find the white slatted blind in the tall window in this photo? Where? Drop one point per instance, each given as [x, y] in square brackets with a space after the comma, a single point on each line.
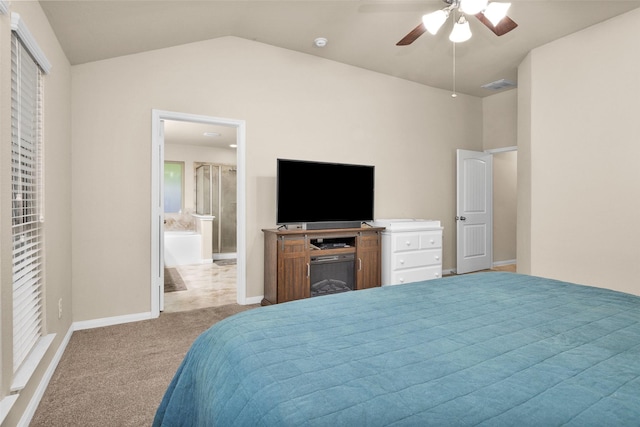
[27, 197]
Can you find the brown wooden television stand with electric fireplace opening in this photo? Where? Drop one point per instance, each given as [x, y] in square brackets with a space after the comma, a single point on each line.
[288, 259]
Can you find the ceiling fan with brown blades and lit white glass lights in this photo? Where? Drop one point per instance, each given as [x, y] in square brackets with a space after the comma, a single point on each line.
[493, 15]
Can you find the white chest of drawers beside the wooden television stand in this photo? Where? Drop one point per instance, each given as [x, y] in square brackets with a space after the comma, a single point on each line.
[411, 250]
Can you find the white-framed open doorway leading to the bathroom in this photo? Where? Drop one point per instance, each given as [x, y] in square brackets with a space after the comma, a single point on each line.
[197, 210]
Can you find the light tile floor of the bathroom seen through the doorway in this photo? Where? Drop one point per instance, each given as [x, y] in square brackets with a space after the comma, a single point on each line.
[208, 285]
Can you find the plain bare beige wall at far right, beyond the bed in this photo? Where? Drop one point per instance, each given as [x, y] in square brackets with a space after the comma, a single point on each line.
[582, 145]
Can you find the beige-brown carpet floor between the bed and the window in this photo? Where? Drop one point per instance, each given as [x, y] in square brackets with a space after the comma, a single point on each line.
[117, 375]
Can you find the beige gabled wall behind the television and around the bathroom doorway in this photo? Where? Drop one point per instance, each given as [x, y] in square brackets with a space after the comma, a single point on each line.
[295, 106]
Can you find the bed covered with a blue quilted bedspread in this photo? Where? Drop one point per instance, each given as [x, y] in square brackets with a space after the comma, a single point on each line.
[480, 349]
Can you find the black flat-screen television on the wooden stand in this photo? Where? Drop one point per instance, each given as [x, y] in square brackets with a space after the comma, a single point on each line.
[324, 195]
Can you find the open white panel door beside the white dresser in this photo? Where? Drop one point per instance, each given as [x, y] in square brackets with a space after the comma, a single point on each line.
[474, 214]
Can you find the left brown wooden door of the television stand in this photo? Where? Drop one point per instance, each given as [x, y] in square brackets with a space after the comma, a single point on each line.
[293, 269]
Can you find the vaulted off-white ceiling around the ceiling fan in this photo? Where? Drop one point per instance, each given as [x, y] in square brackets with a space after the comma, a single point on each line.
[362, 33]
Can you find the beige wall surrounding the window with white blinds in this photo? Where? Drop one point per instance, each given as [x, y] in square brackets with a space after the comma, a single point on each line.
[57, 146]
